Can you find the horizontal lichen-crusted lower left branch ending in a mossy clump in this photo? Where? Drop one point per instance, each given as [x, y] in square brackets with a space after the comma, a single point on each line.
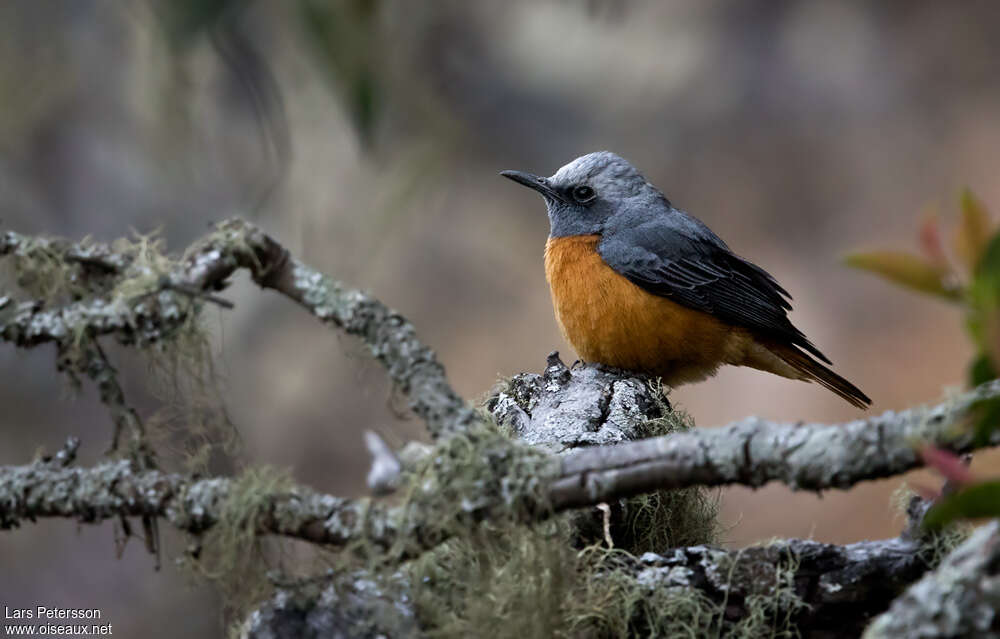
[443, 502]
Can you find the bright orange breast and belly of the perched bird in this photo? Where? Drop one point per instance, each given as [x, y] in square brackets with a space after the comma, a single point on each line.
[610, 320]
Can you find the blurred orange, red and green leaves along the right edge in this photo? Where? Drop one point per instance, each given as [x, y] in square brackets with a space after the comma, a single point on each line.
[968, 276]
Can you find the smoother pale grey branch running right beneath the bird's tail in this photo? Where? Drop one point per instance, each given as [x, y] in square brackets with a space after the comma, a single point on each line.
[754, 451]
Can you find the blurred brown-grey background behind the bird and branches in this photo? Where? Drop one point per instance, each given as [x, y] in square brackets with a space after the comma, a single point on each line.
[367, 136]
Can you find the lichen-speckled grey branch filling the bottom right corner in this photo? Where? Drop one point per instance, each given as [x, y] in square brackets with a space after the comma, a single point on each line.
[961, 598]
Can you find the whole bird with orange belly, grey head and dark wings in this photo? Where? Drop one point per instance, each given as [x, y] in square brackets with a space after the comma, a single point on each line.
[640, 285]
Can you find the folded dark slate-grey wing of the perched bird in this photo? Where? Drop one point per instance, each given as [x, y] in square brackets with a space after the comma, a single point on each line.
[678, 257]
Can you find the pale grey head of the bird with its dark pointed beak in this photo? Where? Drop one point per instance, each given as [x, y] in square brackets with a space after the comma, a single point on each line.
[593, 191]
